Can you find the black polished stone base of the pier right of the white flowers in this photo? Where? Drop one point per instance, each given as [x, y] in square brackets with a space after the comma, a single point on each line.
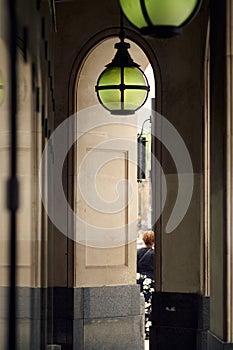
[180, 321]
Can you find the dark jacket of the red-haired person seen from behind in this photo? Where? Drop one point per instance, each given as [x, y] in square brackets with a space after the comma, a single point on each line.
[145, 261]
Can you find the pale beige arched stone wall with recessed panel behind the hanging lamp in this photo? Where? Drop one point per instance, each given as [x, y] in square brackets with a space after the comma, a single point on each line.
[106, 188]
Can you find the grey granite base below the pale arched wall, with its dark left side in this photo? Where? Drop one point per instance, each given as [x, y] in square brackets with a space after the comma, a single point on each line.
[108, 317]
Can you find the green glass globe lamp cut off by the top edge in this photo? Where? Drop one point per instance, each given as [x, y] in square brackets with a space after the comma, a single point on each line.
[160, 18]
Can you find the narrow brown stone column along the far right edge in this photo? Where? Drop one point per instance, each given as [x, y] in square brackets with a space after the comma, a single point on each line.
[221, 93]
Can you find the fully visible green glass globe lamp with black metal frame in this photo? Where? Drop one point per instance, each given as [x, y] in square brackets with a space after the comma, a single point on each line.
[122, 88]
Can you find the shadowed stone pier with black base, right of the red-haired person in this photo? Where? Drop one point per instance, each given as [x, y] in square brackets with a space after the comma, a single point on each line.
[181, 303]
